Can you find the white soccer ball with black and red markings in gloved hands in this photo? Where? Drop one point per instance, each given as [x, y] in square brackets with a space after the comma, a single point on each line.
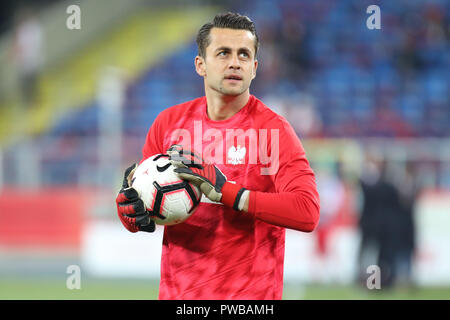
[169, 199]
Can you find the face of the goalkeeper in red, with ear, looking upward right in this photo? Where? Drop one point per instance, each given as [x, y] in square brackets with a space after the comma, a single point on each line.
[230, 65]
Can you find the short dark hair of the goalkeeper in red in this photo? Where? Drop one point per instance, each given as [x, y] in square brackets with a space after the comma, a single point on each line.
[228, 20]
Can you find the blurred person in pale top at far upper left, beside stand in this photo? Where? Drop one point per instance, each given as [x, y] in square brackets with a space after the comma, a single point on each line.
[27, 52]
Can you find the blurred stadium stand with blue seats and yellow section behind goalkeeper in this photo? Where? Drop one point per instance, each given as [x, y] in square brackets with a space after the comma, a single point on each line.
[364, 83]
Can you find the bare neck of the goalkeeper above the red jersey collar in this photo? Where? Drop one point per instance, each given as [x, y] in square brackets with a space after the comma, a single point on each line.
[221, 107]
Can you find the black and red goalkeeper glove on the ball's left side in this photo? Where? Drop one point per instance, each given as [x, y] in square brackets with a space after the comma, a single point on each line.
[130, 207]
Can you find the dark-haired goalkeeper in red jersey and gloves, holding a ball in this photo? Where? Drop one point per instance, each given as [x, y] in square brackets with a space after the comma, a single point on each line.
[233, 246]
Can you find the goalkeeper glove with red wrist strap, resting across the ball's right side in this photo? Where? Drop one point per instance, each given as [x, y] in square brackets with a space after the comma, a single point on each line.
[211, 181]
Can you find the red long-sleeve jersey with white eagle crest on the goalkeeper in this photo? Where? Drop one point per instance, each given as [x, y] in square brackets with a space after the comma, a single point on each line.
[220, 253]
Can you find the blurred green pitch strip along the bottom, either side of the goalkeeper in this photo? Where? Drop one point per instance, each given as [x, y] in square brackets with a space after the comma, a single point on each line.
[107, 289]
